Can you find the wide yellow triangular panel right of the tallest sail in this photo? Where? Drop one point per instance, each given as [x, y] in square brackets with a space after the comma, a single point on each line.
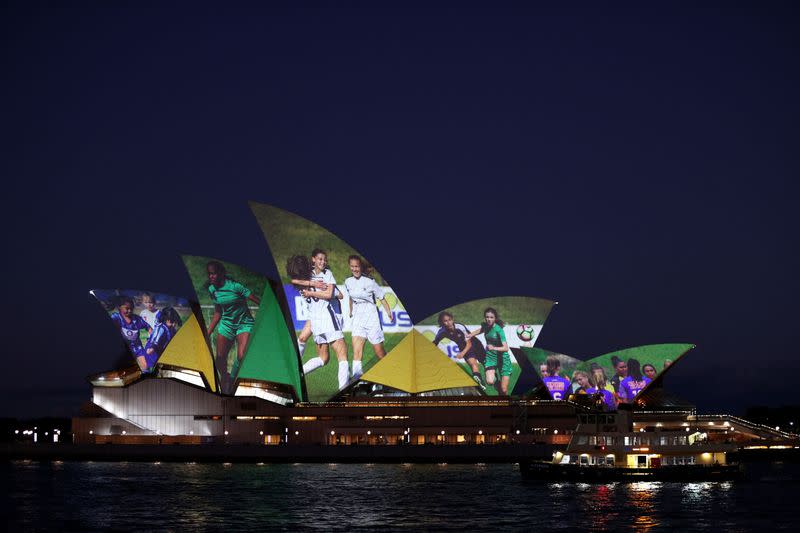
[417, 365]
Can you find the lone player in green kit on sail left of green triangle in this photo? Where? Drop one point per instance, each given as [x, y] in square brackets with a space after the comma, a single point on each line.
[232, 319]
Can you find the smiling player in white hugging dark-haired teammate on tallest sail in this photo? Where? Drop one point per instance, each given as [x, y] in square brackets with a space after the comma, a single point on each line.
[326, 322]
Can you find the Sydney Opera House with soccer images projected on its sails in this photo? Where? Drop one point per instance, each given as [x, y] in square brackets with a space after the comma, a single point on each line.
[328, 355]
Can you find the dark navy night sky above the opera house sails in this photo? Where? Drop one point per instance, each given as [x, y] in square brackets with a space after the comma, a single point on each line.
[638, 165]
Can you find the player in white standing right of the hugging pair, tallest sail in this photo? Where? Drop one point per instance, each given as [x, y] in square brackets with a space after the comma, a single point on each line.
[364, 294]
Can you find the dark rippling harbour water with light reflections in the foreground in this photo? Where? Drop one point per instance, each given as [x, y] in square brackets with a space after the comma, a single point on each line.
[84, 496]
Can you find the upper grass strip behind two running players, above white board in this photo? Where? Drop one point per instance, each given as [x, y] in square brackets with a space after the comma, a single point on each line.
[512, 310]
